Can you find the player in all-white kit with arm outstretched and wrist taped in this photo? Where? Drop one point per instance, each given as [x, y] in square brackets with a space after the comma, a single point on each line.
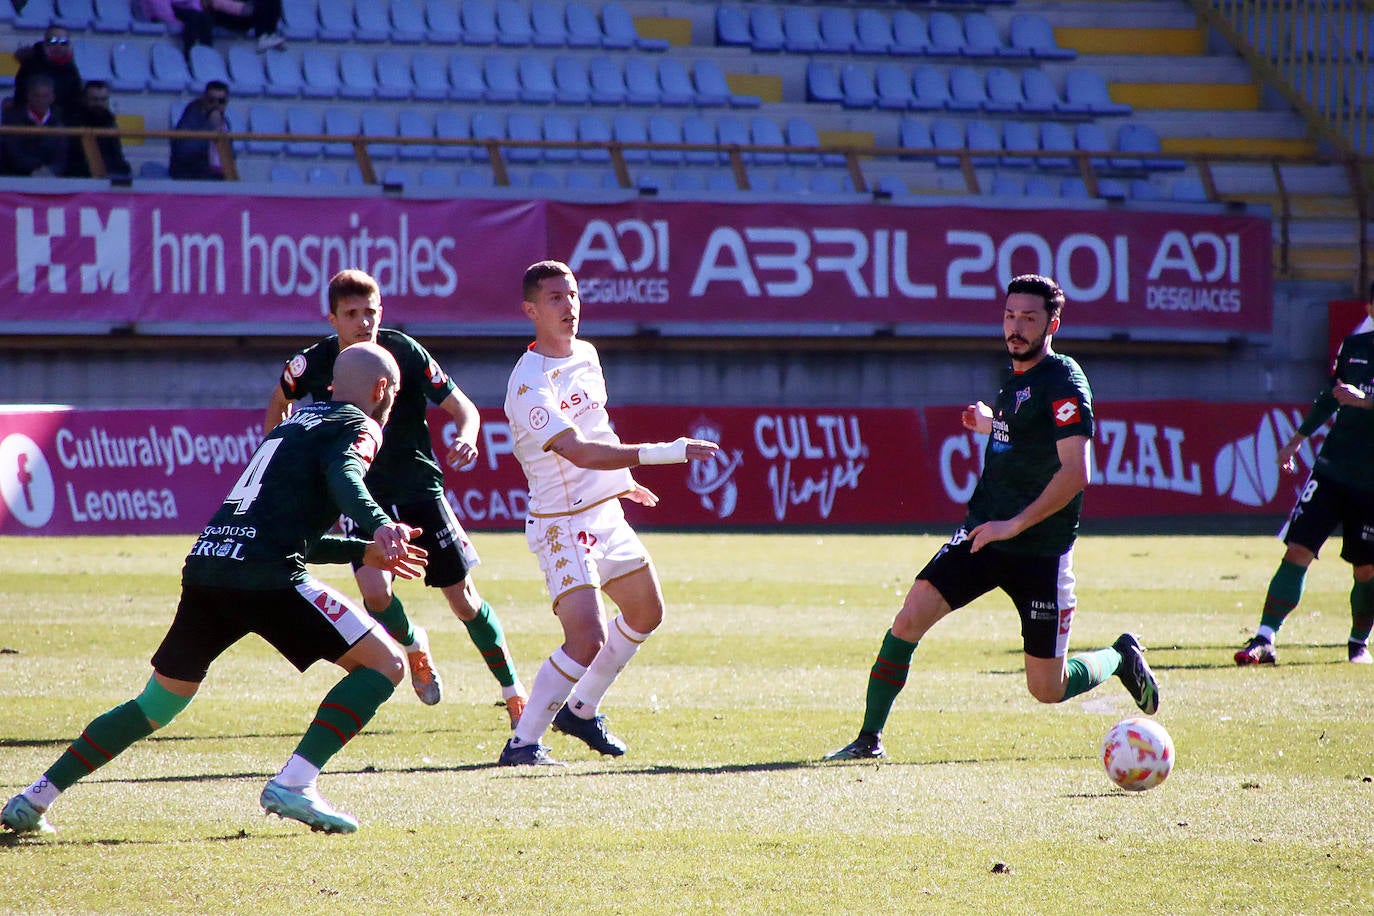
[578, 472]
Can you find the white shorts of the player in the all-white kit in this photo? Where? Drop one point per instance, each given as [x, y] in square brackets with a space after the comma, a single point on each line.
[586, 550]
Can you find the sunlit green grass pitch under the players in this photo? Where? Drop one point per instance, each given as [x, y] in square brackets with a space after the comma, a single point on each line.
[989, 803]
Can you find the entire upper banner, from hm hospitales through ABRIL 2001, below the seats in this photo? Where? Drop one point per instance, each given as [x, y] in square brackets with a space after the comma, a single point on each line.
[264, 262]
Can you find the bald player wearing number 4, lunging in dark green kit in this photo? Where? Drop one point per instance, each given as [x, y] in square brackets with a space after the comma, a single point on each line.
[247, 575]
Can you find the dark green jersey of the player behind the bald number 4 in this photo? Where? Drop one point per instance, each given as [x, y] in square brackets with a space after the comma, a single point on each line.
[405, 470]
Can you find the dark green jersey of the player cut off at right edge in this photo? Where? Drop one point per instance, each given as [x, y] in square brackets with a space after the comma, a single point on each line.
[1347, 455]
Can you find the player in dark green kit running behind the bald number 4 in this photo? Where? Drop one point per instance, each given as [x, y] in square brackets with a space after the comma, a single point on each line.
[407, 481]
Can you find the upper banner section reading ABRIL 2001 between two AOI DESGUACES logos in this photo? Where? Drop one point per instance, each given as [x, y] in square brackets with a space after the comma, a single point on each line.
[1170, 274]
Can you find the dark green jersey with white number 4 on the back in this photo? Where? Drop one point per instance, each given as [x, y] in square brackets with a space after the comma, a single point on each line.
[307, 472]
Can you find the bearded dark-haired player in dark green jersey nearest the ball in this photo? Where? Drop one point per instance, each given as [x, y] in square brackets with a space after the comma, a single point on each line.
[1020, 528]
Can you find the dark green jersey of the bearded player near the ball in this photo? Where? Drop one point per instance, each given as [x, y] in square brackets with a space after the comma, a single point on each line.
[1034, 411]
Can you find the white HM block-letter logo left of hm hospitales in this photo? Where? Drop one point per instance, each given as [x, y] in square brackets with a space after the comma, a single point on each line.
[34, 249]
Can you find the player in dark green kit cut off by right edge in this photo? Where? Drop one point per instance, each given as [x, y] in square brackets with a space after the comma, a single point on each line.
[1340, 491]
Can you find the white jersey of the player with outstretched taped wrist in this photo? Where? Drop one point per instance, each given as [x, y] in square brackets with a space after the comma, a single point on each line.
[548, 396]
